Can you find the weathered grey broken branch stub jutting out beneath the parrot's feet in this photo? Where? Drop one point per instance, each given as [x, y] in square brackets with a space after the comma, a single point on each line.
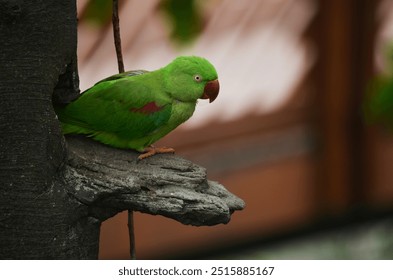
[111, 180]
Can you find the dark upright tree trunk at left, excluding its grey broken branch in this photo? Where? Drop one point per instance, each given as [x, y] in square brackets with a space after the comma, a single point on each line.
[38, 218]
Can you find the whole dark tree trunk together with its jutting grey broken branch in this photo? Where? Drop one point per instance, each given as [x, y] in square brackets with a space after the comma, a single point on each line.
[54, 194]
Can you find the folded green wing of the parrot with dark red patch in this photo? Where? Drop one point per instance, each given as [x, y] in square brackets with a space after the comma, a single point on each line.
[124, 107]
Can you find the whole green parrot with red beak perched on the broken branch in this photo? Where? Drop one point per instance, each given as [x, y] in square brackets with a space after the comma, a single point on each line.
[134, 109]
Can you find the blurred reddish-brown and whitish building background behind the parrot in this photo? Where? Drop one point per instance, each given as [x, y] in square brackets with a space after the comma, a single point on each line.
[286, 133]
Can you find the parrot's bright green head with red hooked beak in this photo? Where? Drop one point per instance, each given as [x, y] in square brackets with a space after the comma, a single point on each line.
[189, 78]
